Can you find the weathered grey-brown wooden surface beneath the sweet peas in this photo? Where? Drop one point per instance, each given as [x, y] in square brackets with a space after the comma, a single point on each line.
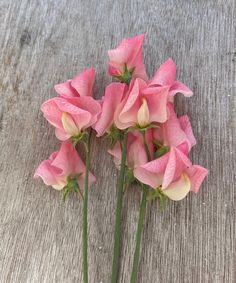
[45, 42]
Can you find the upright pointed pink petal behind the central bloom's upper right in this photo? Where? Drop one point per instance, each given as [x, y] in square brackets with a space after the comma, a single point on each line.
[165, 75]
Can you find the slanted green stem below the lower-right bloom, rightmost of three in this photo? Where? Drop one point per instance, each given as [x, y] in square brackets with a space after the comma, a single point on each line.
[142, 213]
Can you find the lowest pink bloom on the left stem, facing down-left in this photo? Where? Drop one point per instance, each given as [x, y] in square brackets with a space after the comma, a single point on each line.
[60, 166]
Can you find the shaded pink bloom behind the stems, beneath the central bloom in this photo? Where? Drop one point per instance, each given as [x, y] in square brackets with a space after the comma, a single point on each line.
[136, 153]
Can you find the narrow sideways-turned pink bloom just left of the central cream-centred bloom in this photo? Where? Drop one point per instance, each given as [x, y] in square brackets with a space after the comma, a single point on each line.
[114, 94]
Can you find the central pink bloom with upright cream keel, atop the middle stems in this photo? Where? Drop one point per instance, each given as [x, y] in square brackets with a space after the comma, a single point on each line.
[142, 106]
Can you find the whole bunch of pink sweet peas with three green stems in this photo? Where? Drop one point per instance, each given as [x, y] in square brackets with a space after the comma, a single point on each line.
[149, 142]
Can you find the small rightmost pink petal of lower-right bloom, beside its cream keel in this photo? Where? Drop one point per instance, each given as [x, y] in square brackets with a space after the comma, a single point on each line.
[196, 174]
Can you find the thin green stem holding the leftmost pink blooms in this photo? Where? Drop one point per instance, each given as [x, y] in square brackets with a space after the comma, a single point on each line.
[85, 211]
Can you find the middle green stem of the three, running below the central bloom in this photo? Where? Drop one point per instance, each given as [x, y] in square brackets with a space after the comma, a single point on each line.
[117, 233]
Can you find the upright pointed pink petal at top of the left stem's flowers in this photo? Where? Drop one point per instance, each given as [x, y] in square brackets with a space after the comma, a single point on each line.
[83, 83]
